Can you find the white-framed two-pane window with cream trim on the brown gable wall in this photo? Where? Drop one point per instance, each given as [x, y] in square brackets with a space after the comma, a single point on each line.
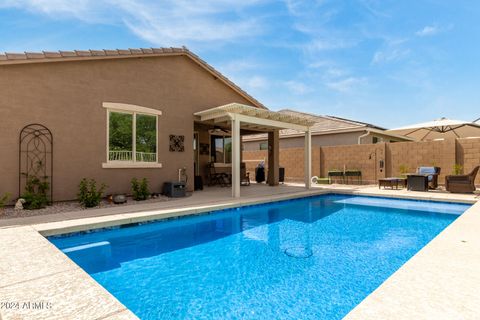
[132, 136]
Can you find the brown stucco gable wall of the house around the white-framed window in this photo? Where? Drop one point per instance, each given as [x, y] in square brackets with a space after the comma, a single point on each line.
[67, 98]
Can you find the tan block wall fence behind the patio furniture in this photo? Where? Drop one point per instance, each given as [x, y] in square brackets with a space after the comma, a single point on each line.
[376, 160]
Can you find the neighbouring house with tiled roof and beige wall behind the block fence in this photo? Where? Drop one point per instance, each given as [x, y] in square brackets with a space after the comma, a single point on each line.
[326, 131]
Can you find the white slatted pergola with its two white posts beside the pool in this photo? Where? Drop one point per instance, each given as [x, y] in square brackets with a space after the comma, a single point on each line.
[251, 118]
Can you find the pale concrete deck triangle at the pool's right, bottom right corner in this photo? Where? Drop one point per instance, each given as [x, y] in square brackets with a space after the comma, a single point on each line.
[441, 281]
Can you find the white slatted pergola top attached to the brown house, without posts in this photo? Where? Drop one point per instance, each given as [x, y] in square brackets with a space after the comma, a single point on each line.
[279, 119]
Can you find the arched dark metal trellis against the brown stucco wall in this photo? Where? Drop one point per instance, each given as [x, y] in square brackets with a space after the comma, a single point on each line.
[35, 156]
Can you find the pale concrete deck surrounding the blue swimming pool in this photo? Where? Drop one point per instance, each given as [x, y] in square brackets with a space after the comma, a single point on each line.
[441, 280]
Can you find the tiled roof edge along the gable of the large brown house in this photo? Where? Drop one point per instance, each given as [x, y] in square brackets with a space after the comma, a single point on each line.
[63, 56]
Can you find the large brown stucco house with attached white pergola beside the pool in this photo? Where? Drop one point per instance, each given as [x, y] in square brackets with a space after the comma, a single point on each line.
[113, 115]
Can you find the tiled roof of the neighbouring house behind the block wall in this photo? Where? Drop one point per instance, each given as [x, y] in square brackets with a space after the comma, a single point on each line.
[321, 125]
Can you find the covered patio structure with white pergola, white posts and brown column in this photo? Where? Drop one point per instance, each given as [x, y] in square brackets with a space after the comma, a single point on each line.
[239, 119]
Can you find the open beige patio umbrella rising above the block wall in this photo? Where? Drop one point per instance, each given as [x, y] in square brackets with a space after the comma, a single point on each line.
[439, 129]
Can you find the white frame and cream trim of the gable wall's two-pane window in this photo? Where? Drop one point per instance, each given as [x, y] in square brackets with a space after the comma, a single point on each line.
[133, 110]
